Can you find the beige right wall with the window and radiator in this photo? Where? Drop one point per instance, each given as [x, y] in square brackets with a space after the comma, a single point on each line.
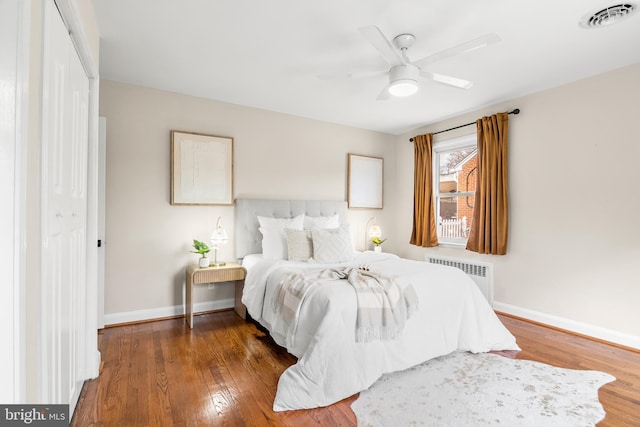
[573, 248]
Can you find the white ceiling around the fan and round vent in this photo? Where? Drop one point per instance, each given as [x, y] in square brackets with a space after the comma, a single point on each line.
[270, 54]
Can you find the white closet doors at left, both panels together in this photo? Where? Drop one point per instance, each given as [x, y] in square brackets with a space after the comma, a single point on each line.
[64, 191]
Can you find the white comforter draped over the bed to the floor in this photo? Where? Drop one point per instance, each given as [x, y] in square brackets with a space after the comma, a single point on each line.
[453, 315]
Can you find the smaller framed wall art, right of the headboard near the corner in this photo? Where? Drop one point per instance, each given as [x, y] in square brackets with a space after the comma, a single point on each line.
[365, 178]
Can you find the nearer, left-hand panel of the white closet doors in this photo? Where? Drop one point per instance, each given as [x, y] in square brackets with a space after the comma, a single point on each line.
[55, 178]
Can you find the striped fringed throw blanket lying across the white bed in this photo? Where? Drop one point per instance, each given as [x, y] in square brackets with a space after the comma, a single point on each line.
[383, 306]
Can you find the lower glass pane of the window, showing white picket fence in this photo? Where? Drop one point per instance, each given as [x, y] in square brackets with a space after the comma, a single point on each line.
[455, 216]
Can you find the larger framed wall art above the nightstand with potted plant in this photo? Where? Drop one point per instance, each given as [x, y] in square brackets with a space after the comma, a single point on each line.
[201, 169]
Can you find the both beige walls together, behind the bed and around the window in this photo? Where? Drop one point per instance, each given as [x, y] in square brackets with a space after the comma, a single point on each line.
[571, 253]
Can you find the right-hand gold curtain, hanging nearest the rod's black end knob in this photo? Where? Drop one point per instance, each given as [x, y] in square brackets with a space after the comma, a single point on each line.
[490, 226]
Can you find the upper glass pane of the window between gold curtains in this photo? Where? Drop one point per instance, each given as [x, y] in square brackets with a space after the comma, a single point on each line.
[458, 170]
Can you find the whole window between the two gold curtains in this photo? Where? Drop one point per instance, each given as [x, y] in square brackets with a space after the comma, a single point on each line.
[454, 186]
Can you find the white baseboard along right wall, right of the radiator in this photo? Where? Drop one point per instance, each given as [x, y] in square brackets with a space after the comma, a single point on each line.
[570, 325]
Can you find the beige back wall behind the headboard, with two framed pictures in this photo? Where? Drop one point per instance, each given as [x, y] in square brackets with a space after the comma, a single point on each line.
[276, 156]
